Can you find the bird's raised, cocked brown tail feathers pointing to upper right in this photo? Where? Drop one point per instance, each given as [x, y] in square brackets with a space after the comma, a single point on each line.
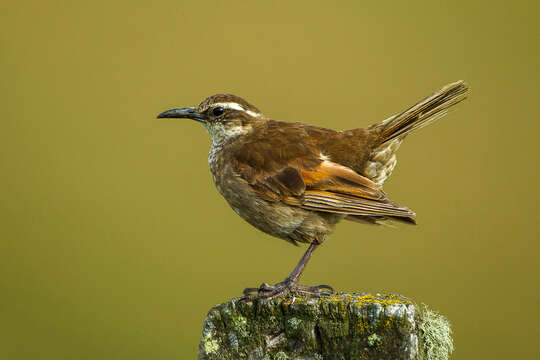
[424, 112]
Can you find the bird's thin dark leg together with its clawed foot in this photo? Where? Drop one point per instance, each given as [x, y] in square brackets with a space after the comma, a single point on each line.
[290, 284]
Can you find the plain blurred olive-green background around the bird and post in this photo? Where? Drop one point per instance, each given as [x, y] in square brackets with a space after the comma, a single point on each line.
[114, 241]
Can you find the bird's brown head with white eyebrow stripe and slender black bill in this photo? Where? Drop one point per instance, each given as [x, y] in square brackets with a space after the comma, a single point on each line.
[225, 116]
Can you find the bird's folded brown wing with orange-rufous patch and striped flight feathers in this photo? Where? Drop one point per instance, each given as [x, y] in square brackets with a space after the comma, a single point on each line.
[294, 171]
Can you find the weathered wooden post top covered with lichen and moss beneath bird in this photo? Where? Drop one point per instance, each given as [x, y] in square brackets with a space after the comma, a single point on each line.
[340, 326]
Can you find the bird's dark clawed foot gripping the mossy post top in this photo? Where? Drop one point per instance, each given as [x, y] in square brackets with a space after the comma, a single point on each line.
[267, 291]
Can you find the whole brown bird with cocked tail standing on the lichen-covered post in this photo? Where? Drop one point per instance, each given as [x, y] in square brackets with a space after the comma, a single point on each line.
[296, 181]
